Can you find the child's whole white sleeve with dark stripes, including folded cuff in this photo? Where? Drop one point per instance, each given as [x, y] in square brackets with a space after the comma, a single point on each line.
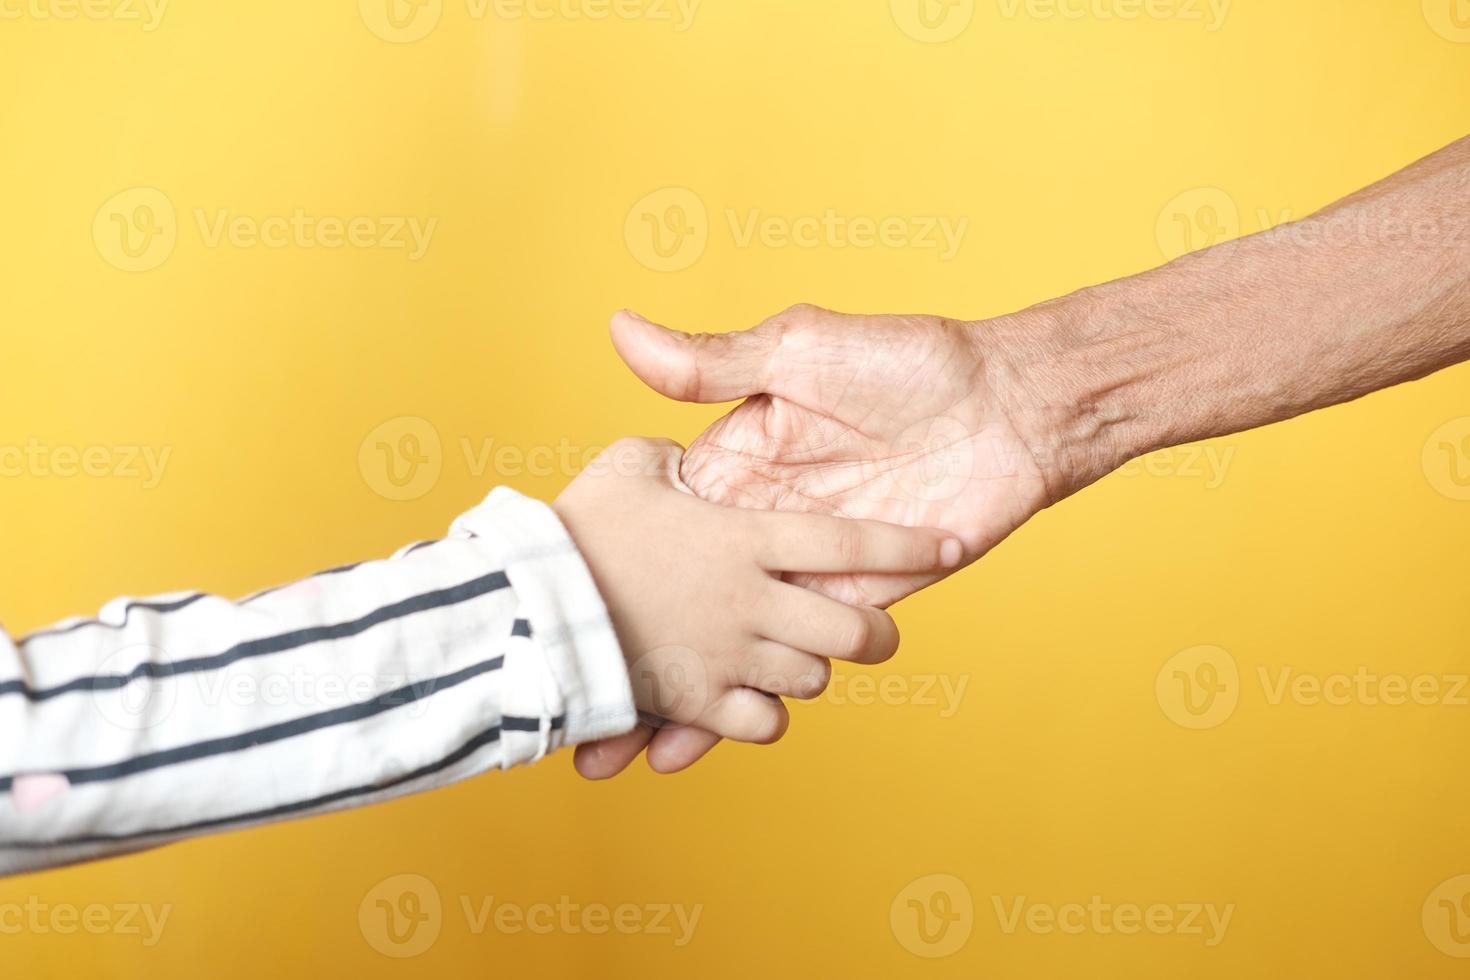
[190, 715]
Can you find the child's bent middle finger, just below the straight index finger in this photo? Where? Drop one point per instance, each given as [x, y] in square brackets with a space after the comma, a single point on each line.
[827, 628]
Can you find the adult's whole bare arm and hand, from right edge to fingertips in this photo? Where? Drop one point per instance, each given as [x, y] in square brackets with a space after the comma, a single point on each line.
[975, 427]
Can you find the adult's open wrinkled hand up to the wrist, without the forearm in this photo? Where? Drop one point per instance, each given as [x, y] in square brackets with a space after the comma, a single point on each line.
[902, 419]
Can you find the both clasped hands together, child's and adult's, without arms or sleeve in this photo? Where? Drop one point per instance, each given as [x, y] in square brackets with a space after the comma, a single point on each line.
[897, 450]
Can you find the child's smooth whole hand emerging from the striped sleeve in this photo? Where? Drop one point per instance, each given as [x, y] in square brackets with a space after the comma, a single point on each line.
[712, 634]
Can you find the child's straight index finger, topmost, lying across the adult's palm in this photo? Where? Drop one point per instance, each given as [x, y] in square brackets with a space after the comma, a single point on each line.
[817, 543]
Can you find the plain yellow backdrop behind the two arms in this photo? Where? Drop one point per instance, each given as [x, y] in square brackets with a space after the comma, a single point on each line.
[1066, 143]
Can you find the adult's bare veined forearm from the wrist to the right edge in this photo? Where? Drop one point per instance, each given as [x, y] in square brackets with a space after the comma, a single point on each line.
[1369, 293]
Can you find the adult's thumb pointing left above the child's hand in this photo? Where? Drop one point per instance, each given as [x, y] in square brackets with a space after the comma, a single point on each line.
[693, 367]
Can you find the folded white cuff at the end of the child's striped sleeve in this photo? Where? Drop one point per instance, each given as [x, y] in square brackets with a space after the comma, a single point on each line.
[567, 680]
